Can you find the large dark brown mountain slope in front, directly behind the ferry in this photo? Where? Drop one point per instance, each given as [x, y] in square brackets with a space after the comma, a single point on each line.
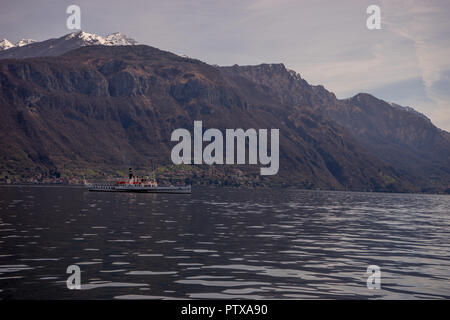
[101, 108]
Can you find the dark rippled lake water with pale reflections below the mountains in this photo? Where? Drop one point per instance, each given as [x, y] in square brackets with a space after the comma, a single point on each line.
[222, 243]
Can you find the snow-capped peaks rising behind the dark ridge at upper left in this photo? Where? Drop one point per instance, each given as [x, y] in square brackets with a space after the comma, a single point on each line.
[28, 48]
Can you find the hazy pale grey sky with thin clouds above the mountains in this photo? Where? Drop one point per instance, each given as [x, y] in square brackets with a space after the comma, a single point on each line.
[327, 42]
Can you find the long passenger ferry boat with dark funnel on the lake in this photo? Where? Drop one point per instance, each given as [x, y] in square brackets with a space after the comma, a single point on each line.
[136, 184]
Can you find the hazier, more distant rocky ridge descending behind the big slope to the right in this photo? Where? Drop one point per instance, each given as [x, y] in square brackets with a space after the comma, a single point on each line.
[399, 136]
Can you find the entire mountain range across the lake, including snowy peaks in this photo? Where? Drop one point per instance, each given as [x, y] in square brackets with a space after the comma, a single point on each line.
[99, 107]
